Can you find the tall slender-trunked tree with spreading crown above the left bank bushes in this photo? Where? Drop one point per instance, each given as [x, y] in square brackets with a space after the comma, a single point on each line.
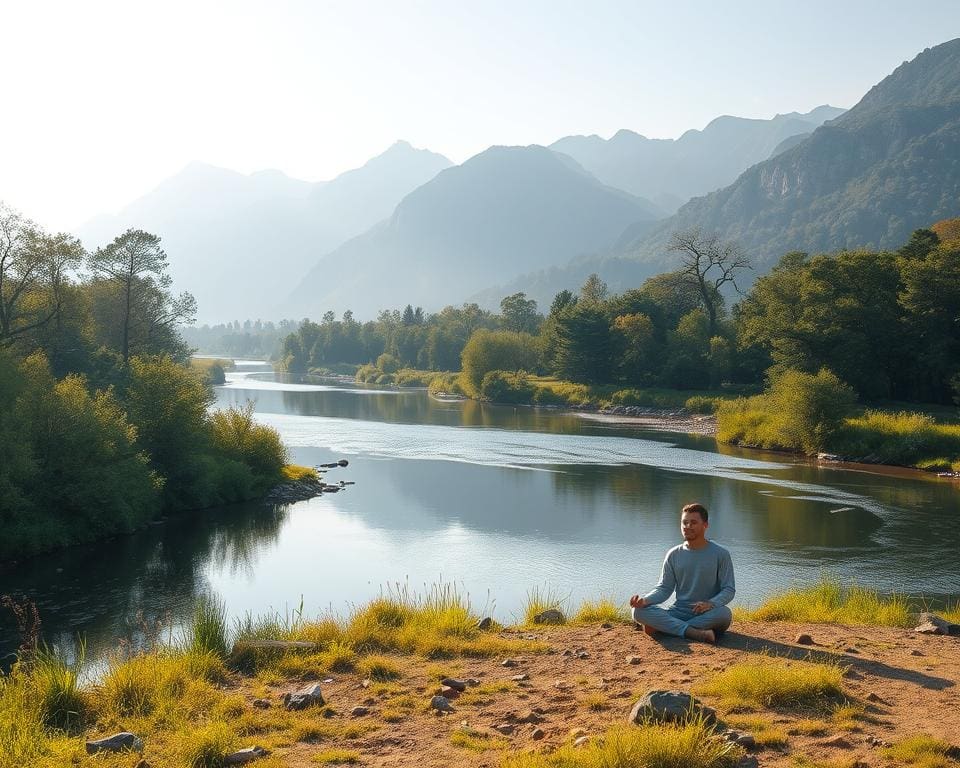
[136, 264]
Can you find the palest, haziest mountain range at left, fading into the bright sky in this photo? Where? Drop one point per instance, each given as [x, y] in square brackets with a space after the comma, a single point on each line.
[238, 242]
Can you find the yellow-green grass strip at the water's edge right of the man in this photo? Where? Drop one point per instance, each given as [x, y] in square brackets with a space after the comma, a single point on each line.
[829, 602]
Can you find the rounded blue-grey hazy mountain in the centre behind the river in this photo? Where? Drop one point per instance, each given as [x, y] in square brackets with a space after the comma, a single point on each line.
[505, 211]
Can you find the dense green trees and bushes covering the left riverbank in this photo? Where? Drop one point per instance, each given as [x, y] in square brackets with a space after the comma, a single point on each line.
[103, 423]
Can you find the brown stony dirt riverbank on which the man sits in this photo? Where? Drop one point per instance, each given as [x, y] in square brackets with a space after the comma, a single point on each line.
[403, 710]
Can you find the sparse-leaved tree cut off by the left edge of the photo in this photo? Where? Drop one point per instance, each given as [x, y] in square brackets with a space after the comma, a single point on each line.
[33, 268]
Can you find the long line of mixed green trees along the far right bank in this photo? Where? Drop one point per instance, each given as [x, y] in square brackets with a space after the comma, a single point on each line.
[886, 323]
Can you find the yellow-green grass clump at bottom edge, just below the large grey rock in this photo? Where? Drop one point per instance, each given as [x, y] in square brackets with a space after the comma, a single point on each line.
[649, 746]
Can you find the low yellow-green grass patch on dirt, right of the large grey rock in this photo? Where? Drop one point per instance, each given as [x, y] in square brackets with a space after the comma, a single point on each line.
[778, 685]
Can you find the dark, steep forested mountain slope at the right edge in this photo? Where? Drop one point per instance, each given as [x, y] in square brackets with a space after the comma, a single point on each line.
[889, 165]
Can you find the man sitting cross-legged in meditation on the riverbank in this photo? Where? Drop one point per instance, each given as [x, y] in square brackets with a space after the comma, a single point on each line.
[701, 573]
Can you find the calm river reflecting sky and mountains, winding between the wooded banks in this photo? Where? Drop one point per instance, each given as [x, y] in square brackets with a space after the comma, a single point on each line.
[497, 500]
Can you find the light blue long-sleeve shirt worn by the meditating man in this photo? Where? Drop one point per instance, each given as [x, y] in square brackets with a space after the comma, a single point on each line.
[695, 575]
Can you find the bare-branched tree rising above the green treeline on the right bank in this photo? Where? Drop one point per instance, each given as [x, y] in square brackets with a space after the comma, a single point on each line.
[709, 263]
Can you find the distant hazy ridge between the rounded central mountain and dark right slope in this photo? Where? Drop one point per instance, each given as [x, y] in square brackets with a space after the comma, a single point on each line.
[670, 172]
